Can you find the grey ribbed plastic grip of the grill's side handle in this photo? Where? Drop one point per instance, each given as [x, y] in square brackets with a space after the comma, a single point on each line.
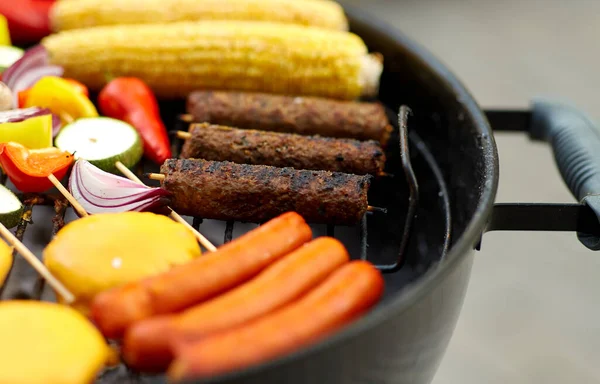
[575, 141]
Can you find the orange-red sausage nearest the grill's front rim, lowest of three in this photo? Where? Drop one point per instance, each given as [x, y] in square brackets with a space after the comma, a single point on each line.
[340, 299]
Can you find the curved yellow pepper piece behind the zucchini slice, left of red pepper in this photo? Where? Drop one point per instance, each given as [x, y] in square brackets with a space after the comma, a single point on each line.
[58, 95]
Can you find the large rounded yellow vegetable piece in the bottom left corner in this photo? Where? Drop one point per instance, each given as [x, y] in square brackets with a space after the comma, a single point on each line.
[48, 343]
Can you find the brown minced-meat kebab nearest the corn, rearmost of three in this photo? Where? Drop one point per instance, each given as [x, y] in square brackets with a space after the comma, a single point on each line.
[301, 115]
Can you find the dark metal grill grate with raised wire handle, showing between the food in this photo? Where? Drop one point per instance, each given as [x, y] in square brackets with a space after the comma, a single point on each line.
[374, 222]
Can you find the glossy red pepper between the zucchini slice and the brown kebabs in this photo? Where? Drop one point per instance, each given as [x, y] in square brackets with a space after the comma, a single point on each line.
[131, 100]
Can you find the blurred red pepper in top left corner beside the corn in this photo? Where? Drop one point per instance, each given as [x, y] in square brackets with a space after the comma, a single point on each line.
[28, 20]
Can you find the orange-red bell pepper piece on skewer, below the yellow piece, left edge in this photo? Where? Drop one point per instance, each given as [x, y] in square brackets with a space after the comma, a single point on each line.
[28, 169]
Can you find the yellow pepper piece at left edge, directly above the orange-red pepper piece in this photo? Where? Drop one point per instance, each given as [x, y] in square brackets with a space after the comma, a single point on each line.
[33, 133]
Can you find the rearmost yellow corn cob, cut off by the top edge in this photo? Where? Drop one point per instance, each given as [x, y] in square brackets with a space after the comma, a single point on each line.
[72, 14]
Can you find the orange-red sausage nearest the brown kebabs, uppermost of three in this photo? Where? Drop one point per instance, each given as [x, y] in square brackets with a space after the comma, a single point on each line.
[185, 285]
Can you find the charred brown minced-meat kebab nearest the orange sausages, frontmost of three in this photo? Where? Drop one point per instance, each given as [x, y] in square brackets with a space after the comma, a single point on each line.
[256, 193]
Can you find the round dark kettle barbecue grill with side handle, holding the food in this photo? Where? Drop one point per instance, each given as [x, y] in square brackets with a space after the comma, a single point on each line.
[438, 197]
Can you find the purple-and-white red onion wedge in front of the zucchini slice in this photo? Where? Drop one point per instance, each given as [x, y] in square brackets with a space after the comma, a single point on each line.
[102, 192]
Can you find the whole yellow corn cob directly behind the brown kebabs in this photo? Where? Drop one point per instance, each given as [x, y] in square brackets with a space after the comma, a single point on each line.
[177, 58]
